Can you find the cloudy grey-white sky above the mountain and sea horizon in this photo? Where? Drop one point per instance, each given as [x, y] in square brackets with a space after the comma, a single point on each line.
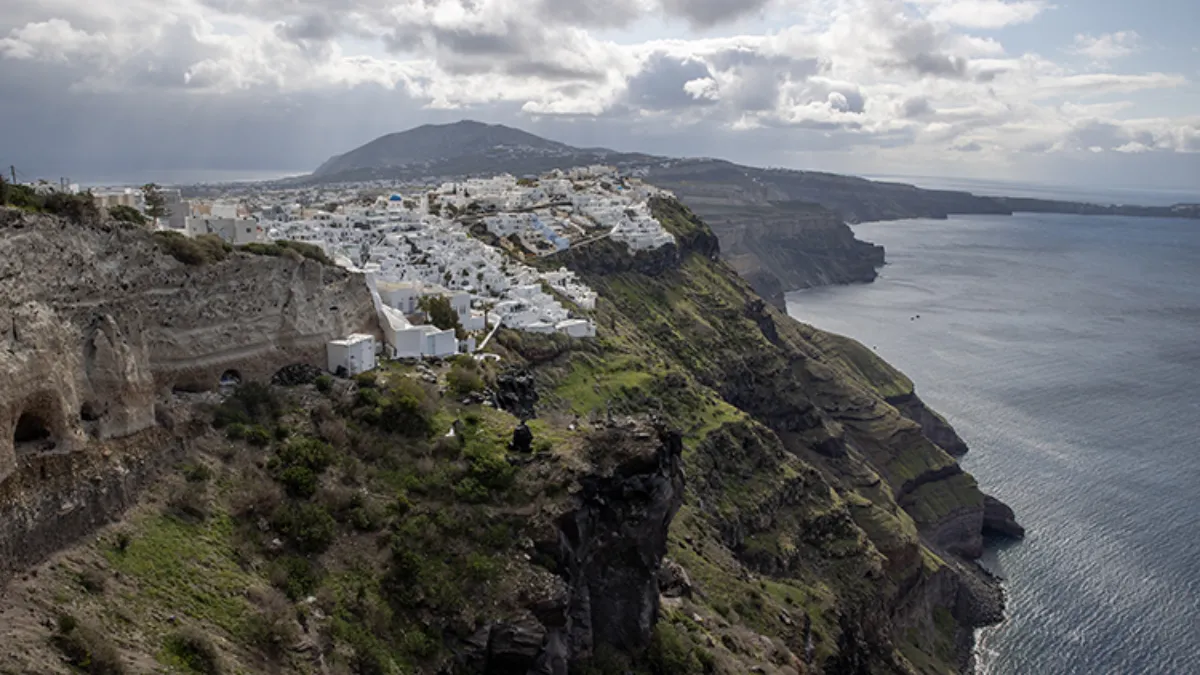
[1076, 93]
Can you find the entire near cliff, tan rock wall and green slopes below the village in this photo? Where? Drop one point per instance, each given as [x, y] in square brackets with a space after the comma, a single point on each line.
[709, 487]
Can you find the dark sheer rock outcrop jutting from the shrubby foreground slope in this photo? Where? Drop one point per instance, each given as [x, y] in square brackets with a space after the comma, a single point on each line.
[608, 546]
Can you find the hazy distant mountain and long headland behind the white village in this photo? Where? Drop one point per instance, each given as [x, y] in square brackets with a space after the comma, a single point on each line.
[782, 230]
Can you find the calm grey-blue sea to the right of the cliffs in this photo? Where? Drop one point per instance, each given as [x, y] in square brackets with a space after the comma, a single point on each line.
[1066, 351]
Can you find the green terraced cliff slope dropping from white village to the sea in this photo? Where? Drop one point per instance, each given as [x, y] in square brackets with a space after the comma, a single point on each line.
[812, 465]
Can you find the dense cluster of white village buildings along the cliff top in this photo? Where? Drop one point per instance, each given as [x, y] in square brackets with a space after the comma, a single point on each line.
[466, 246]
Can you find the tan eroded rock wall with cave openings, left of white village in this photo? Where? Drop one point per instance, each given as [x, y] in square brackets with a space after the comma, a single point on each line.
[98, 326]
